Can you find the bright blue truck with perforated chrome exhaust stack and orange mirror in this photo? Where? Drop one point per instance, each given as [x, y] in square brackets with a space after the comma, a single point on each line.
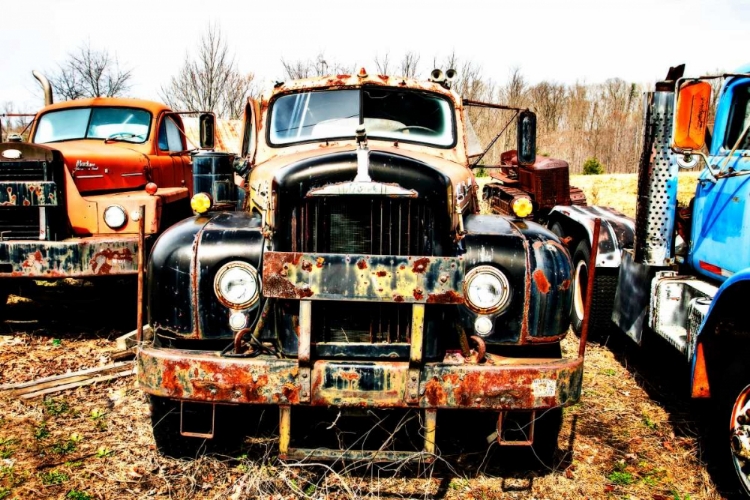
[683, 273]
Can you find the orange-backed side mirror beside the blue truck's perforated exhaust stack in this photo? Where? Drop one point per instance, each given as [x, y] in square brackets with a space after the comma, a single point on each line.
[691, 116]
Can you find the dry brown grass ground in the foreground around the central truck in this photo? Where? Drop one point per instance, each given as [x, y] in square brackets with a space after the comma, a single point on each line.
[96, 442]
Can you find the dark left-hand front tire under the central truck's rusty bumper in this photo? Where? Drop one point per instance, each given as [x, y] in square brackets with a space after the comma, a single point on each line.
[165, 423]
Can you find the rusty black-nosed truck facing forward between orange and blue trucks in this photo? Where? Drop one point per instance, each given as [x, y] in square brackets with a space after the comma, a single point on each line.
[359, 275]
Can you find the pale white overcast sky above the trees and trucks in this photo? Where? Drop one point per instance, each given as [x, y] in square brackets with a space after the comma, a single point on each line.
[558, 40]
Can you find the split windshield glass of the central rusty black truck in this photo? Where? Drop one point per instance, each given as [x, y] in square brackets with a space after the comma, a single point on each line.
[402, 115]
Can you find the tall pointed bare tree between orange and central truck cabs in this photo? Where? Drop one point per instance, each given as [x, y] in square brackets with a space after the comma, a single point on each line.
[210, 81]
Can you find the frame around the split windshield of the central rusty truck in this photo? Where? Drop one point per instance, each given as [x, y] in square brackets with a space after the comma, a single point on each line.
[361, 89]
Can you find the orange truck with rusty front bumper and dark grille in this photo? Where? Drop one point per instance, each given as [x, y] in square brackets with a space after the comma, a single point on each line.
[71, 197]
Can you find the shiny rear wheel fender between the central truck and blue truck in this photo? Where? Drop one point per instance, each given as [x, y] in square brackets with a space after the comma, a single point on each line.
[617, 230]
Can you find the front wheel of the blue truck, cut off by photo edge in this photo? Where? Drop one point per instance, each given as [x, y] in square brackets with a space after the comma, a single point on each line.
[736, 407]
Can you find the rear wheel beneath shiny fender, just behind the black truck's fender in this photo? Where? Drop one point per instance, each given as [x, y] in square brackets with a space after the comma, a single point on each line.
[605, 287]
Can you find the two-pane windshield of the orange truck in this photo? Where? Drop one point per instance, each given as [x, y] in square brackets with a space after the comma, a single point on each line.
[122, 124]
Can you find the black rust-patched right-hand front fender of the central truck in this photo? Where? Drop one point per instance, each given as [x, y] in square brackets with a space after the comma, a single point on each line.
[538, 269]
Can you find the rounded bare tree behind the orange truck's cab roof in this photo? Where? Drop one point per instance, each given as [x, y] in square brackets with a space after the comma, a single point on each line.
[90, 73]
